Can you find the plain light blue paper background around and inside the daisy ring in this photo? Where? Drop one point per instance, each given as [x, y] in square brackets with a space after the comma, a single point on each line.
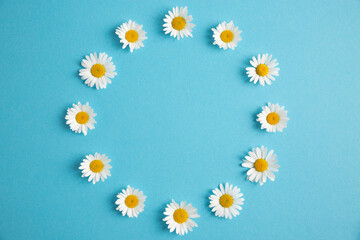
[178, 119]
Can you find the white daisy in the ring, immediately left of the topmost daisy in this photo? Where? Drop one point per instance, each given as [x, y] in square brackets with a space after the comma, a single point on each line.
[132, 34]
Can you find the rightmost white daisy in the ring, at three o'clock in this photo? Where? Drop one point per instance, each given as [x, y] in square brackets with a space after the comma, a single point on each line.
[273, 118]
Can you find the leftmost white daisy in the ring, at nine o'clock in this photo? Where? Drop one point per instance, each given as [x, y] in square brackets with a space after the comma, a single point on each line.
[80, 118]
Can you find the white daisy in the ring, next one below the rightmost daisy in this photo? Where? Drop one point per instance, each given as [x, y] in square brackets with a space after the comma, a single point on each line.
[261, 164]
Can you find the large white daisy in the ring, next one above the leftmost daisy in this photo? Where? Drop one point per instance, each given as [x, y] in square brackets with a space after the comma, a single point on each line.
[97, 70]
